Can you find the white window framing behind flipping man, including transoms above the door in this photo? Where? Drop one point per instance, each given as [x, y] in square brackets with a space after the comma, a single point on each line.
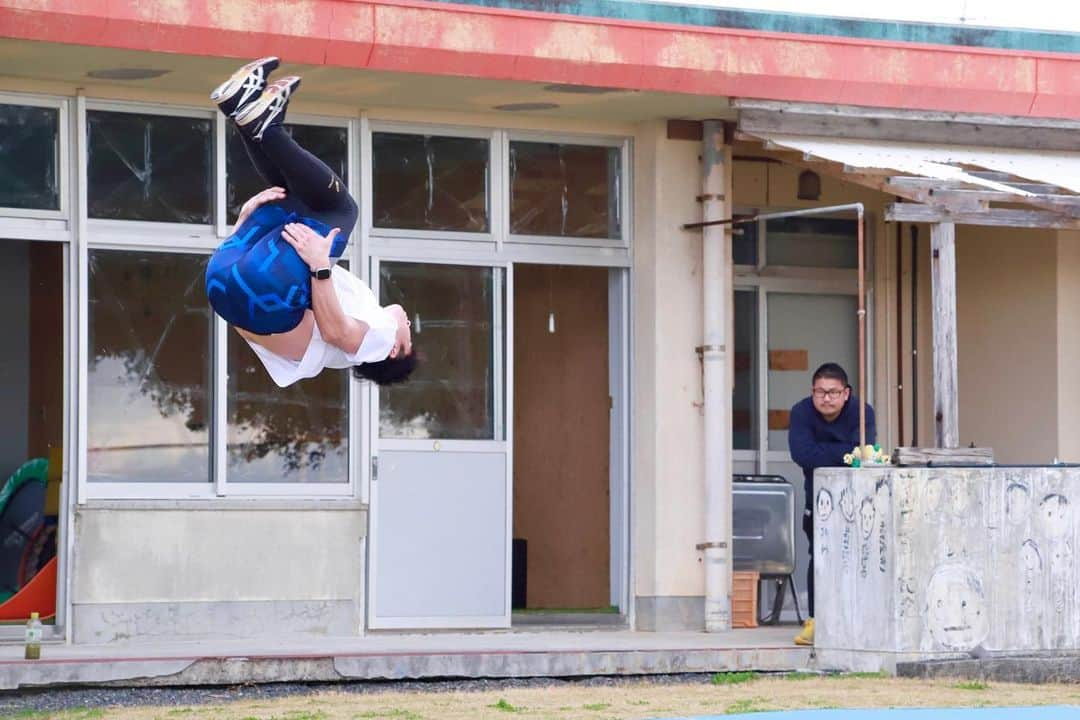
[494, 248]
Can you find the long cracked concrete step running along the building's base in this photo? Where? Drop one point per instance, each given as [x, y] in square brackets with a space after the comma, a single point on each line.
[394, 657]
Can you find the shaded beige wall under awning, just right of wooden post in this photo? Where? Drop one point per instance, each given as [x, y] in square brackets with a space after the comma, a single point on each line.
[1007, 331]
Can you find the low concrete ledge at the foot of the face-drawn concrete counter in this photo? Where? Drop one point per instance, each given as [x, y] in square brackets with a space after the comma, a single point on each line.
[1015, 669]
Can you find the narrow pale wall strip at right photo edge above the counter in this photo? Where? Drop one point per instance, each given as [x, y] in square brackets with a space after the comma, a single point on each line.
[1069, 346]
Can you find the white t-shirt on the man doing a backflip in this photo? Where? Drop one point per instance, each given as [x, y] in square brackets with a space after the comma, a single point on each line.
[358, 302]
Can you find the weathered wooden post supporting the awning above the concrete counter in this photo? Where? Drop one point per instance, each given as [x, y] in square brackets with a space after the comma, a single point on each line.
[943, 278]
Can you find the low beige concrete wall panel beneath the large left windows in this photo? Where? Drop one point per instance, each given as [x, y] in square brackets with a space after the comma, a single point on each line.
[145, 555]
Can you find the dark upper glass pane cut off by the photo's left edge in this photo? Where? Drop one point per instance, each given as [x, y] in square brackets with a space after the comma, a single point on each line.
[30, 155]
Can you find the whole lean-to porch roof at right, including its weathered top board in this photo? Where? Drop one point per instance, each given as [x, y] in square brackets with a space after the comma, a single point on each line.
[1016, 176]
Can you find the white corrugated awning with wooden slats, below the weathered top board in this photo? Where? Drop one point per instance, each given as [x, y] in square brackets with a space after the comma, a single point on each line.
[958, 184]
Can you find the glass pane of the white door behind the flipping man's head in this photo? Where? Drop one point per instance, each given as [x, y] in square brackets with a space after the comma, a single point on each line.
[452, 395]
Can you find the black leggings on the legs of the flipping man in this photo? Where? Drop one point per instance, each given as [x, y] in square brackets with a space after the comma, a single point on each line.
[313, 189]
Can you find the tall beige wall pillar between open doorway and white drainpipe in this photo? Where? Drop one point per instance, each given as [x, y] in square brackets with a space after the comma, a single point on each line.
[668, 325]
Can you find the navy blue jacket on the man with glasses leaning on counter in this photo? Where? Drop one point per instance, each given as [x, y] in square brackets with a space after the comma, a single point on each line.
[816, 443]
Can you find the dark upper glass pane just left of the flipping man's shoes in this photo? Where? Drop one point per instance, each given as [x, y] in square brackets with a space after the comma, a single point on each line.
[150, 168]
